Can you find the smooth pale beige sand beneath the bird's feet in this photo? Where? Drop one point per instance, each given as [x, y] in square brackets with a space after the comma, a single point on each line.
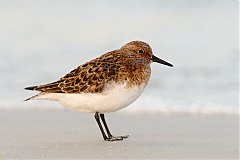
[64, 134]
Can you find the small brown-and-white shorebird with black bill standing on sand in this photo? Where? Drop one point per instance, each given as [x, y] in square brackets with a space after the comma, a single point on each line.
[105, 84]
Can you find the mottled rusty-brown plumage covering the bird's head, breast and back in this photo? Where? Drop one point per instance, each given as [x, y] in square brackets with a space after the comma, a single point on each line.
[130, 64]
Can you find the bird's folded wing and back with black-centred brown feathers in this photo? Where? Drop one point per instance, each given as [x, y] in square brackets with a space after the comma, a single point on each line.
[87, 78]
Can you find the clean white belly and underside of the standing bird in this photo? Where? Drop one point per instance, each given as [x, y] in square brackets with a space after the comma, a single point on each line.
[116, 98]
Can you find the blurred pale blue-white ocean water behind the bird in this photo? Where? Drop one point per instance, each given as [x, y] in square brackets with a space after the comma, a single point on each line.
[43, 40]
